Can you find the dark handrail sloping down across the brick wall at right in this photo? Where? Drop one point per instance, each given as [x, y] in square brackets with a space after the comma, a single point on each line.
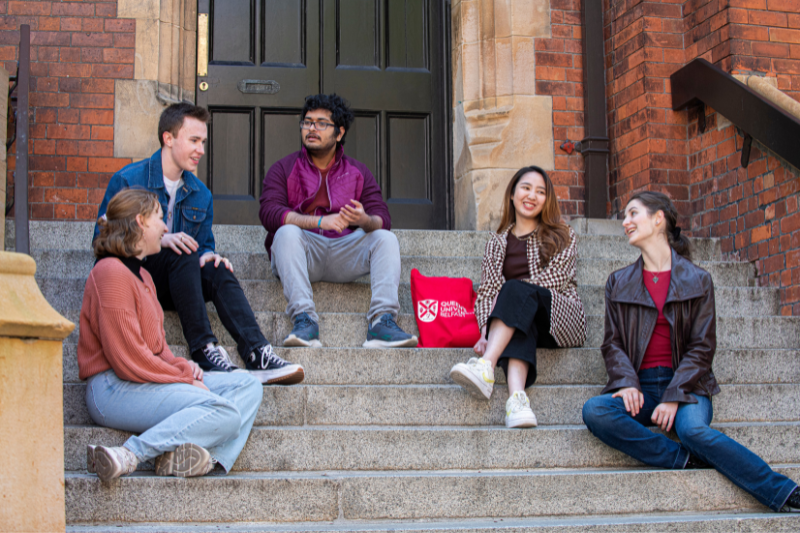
[701, 83]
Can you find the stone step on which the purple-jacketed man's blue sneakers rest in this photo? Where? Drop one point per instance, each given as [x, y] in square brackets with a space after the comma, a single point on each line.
[431, 366]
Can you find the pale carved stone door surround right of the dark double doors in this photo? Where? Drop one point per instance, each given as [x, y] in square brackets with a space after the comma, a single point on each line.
[500, 124]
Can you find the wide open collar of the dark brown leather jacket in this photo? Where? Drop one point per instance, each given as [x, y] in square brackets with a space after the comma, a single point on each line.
[684, 283]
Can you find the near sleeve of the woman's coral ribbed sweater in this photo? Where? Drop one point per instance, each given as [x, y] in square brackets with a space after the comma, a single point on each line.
[127, 353]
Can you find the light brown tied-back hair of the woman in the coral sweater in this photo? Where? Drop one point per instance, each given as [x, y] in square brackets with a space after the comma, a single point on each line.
[119, 231]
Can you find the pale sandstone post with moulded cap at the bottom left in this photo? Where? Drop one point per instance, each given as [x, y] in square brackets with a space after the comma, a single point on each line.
[31, 402]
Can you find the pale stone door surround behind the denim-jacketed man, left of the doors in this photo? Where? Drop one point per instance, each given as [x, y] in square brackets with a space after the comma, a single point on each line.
[164, 71]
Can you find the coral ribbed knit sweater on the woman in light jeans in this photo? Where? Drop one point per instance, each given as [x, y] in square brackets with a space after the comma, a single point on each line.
[122, 327]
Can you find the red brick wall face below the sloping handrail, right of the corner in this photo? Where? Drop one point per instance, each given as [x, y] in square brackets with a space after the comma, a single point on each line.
[753, 210]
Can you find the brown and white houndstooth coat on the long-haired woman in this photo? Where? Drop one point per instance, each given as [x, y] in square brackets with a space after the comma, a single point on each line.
[567, 320]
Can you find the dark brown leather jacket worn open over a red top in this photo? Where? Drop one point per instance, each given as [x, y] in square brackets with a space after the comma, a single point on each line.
[631, 317]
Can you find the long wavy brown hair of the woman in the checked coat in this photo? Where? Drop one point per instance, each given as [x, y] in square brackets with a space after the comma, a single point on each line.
[553, 233]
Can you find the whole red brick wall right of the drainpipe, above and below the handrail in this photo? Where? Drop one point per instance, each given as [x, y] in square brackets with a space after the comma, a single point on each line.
[753, 210]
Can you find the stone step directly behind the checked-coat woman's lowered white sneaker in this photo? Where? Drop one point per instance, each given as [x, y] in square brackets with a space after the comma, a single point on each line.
[450, 405]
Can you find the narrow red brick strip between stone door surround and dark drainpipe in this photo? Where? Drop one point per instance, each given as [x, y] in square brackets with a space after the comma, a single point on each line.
[559, 73]
